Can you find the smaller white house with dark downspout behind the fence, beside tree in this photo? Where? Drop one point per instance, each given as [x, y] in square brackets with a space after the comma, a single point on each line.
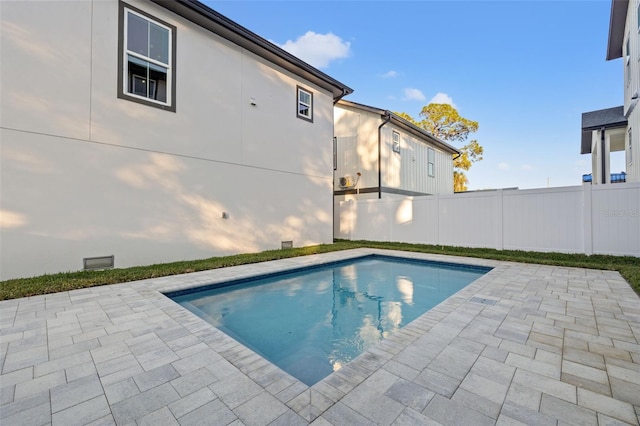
[379, 155]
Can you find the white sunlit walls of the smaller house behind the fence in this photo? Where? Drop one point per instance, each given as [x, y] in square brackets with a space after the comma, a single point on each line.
[357, 133]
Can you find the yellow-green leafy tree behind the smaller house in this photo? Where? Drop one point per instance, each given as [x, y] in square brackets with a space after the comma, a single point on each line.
[444, 122]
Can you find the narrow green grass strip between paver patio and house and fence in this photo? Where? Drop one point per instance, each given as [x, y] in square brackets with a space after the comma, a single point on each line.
[629, 267]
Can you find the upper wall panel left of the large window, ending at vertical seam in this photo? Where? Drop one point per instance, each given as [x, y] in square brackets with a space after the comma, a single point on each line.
[44, 88]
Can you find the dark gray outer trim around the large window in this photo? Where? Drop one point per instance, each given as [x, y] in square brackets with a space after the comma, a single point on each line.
[121, 93]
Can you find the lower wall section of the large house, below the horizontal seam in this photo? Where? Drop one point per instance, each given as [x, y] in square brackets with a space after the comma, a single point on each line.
[82, 199]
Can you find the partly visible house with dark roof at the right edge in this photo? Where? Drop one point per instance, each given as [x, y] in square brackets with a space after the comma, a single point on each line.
[618, 128]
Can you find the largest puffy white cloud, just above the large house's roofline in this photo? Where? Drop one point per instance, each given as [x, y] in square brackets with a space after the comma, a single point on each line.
[318, 49]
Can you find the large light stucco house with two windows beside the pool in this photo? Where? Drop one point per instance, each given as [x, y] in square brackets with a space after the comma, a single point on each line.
[153, 131]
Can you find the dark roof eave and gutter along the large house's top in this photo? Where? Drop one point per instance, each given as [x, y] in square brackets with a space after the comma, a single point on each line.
[213, 21]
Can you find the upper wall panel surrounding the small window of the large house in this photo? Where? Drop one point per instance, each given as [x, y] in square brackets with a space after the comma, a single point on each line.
[272, 135]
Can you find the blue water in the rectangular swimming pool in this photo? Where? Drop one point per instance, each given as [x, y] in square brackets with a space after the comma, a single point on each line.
[310, 322]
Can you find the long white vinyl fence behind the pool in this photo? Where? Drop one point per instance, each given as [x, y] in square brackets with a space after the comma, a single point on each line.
[590, 219]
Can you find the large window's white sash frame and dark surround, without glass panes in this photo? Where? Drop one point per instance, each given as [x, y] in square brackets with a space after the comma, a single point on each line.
[124, 53]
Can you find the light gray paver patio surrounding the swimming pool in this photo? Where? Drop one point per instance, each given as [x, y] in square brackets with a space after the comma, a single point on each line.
[559, 346]
